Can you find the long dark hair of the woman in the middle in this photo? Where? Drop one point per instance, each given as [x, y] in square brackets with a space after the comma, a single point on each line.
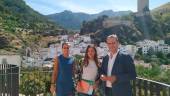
[86, 58]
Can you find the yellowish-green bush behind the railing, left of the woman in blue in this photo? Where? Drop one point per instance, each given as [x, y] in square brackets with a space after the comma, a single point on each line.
[34, 82]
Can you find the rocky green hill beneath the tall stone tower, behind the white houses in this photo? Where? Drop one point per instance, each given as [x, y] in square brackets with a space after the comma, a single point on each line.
[131, 28]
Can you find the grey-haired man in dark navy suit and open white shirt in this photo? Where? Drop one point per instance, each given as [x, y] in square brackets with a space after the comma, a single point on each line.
[117, 70]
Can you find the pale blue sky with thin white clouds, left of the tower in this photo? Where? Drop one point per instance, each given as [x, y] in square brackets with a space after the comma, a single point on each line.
[87, 6]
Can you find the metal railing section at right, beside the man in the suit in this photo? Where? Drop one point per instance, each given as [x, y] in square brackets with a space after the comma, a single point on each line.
[145, 87]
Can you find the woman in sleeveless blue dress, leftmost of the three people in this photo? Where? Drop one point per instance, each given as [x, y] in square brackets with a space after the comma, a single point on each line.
[62, 81]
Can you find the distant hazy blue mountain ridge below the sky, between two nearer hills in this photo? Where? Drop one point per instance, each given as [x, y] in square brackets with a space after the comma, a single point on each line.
[73, 20]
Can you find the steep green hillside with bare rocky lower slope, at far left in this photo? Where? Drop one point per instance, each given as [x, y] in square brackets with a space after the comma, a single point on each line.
[21, 26]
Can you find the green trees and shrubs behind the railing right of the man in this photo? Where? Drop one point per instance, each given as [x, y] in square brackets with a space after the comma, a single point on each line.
[157, 66]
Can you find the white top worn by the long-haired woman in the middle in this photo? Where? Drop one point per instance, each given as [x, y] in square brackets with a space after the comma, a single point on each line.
[90, 71]
